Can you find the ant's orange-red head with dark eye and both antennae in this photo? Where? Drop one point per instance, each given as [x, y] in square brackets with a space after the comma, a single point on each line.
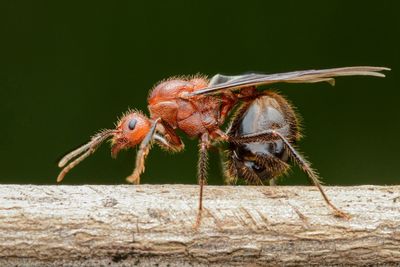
[130, 131]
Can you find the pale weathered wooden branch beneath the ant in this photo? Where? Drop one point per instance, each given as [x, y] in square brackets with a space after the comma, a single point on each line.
[153, 224]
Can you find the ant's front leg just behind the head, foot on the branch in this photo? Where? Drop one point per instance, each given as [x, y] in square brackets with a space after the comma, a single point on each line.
[144, 149]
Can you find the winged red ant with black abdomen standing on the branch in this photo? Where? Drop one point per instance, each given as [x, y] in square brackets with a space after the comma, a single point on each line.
[198, 107]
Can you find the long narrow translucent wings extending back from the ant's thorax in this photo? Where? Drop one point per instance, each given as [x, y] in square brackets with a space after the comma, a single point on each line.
[222, 82]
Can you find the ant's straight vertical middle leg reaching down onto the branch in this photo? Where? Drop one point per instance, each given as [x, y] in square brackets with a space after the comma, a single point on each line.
[202, 172]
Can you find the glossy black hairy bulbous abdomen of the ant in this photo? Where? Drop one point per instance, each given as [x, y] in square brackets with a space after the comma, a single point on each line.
[257, 162]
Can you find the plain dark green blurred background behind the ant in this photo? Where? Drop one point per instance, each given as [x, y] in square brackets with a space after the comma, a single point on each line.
[70, 68]
